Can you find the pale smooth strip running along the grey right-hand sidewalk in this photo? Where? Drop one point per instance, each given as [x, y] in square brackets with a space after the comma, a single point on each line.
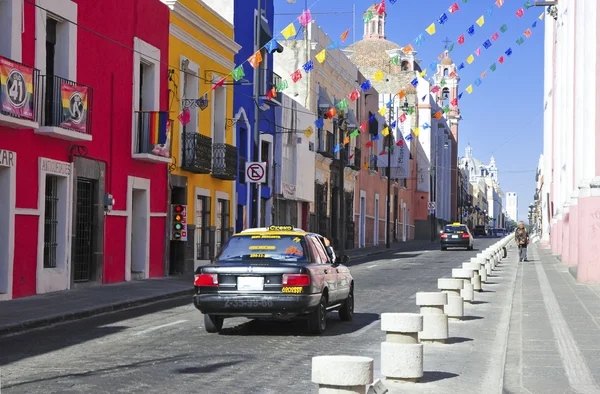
[578, 373]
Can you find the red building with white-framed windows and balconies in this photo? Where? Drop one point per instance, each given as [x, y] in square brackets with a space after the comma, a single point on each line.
[82, 84]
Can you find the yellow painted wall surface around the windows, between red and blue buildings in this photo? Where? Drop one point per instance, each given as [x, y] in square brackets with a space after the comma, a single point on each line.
[177, 49]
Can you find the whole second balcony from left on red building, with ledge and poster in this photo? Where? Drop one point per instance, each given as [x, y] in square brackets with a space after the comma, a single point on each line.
[66, 112]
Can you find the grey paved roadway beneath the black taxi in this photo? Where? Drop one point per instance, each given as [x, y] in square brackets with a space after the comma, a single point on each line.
[163, 348]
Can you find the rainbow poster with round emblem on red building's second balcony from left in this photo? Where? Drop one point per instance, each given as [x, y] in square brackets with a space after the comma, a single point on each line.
[74, 104]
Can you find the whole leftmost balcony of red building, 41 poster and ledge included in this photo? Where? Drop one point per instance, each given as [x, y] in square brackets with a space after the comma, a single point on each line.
[18, 109]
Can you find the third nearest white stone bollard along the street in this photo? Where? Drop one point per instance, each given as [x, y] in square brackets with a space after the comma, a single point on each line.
[435, 321]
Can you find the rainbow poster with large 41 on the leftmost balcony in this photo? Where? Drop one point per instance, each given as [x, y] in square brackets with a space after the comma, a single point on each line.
[16, 89]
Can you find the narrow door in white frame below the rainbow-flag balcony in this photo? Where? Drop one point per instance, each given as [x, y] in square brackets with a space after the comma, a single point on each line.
[139, 233]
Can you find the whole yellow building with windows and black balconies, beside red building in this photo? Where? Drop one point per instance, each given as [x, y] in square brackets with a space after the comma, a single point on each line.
[205, 165]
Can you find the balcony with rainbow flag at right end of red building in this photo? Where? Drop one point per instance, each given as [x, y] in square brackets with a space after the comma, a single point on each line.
[152, 137]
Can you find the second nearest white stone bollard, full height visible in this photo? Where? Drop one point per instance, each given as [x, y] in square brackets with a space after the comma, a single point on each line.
[401, 353]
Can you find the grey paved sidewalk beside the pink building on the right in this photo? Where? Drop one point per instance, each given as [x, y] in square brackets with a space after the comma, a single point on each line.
[554, 344]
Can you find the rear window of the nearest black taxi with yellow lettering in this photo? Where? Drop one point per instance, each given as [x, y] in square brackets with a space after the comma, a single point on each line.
[265, 246]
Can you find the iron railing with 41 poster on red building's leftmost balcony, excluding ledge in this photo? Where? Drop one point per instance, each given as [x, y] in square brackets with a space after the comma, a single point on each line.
[22, 88]
